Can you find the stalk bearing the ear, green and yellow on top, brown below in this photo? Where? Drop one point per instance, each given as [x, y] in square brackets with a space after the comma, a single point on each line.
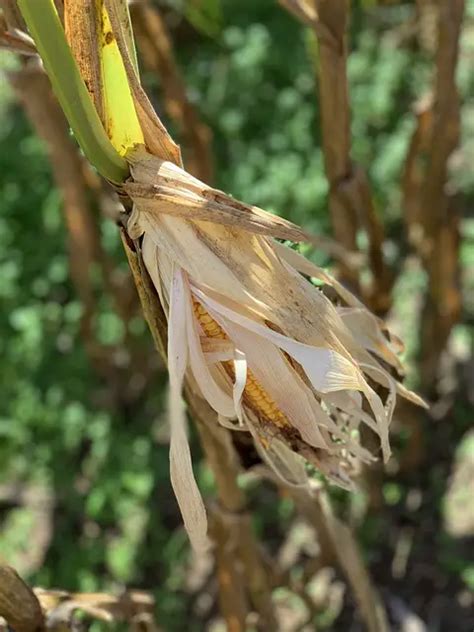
[253, 582]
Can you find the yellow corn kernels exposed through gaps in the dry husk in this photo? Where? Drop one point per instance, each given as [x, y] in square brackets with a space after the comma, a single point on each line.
[254, 395]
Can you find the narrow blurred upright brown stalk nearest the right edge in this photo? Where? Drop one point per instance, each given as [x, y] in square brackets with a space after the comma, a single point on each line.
[440, 219]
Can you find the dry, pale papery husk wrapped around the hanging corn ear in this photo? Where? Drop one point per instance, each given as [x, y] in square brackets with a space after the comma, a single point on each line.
[319, 366]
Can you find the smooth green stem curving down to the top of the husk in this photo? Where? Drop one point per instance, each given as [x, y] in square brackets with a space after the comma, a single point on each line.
[44, 25]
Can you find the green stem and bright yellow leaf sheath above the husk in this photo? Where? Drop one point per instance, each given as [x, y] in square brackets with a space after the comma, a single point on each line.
[104, 146]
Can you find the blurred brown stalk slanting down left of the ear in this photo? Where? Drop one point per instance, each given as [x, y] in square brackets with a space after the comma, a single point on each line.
[80, 190]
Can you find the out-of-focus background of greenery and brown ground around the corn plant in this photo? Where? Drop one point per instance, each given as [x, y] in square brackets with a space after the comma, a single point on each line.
[85, 497]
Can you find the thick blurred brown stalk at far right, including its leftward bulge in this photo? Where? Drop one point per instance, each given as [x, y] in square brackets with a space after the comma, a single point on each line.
[430, 209]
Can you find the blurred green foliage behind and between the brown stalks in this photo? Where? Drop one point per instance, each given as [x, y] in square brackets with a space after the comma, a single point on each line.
[249, 68]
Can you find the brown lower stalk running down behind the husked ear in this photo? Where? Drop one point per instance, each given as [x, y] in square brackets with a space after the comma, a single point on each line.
[241, 574]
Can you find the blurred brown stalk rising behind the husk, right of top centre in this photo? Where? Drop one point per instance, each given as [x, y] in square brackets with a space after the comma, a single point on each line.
[350, 200]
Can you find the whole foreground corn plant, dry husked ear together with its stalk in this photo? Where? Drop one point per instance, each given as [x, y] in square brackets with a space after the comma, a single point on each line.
[162, 188]
